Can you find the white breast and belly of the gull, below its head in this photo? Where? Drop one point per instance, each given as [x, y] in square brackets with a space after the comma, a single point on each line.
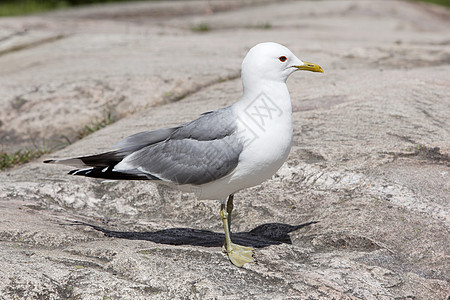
[265, 125]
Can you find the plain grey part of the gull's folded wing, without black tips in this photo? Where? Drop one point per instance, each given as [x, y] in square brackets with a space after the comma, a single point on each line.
[198, 152]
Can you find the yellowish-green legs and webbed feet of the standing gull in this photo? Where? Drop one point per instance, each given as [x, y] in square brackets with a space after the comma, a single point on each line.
[238, 255]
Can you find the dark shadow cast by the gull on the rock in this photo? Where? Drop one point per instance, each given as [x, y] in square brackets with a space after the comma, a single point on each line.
[259, 237]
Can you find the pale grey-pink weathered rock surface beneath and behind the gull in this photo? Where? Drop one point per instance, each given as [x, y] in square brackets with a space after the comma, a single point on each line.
[370, 161]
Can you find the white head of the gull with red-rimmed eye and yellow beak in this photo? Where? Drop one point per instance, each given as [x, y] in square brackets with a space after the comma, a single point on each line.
[274, 62]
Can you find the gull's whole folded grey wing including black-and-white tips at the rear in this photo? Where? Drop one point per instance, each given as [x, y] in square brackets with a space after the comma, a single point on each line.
[195, 153]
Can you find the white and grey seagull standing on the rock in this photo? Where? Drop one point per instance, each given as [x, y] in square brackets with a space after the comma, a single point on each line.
[220, 153]
